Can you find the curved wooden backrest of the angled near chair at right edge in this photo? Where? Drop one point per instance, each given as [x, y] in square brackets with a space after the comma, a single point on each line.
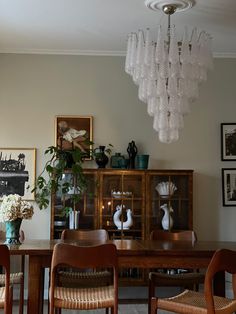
[222, 260]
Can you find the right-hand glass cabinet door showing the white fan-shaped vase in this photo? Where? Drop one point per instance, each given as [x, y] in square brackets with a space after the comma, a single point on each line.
[174, 191]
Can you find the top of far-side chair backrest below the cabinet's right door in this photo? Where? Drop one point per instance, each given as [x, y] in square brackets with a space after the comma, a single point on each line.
[184, 235]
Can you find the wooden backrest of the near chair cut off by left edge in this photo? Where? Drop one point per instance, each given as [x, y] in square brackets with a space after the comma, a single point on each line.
[5, 263]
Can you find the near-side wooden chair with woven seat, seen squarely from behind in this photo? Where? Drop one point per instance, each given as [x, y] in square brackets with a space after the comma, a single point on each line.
[84, 257]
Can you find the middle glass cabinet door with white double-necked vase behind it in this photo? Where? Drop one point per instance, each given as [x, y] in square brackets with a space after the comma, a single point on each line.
[122, 204]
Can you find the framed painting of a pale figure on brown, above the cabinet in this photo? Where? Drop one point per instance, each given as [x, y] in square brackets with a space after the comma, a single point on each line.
[74, 131]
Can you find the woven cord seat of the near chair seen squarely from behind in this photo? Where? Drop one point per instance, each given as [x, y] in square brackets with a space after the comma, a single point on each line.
[84, 298]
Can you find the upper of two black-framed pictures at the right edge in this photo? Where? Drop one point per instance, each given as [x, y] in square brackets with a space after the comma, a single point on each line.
[228, 141]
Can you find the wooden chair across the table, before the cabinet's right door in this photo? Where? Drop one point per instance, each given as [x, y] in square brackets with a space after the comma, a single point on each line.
[174, 278]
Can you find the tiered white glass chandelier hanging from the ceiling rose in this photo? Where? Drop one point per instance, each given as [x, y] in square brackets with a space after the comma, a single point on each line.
[168, 71]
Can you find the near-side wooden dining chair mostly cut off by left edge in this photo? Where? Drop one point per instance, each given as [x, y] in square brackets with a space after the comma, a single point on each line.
[6, 290]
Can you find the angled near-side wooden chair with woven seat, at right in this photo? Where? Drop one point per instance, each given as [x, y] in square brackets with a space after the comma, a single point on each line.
[195, 302]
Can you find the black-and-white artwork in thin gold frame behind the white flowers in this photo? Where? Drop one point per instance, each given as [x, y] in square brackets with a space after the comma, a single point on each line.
[17, 172]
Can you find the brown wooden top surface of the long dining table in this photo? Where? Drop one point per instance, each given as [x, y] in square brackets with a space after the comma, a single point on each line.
[128, 247]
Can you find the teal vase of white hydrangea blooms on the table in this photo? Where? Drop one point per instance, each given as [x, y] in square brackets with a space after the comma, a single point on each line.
[12, 211]
